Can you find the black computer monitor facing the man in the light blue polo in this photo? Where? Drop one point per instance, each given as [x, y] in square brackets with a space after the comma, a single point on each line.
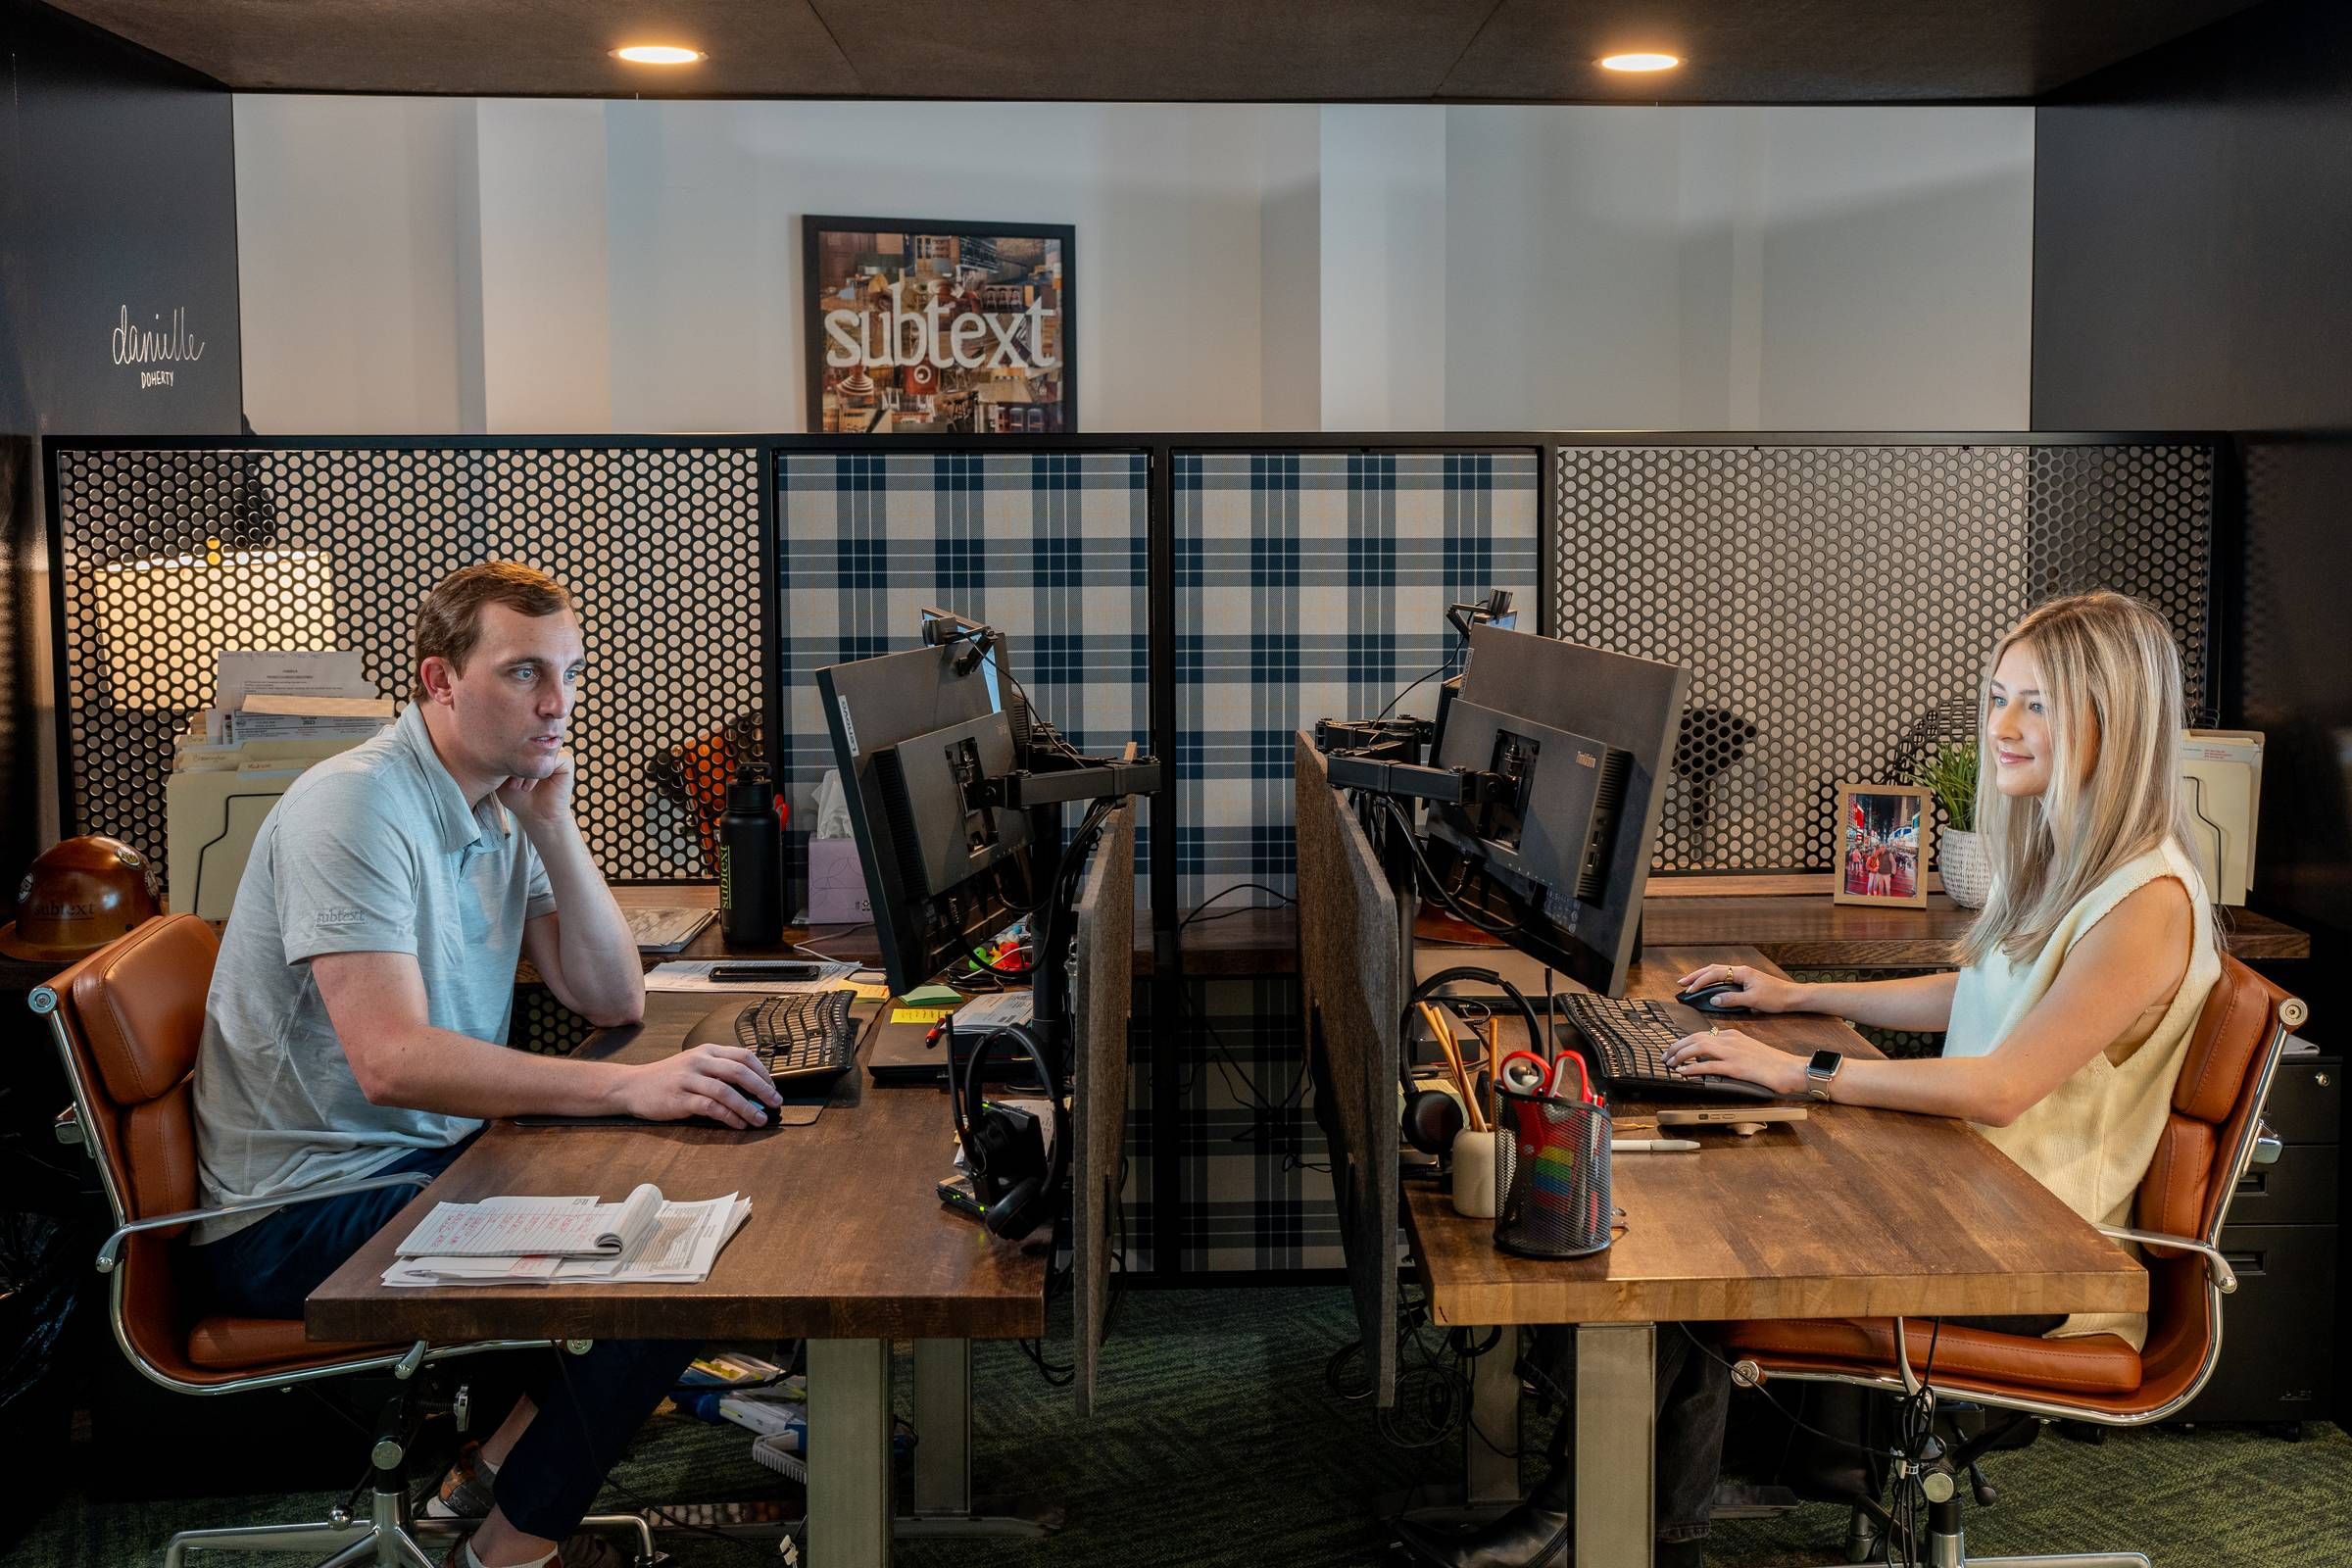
[916, 737]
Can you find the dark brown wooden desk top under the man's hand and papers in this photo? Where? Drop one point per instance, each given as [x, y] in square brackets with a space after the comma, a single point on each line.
[846, 1233]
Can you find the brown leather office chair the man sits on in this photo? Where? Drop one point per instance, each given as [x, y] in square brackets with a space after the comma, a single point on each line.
[128, 1021]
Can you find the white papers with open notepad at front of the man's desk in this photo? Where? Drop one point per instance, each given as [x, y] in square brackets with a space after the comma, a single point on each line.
[500, 1242]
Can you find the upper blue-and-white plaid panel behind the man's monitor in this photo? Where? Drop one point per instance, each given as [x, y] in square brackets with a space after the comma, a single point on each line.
[1050, 549]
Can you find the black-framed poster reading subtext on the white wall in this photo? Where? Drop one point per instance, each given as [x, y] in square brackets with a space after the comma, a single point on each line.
[930, 328]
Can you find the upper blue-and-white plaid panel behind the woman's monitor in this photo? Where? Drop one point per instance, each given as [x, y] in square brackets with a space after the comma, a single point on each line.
[1316, 587]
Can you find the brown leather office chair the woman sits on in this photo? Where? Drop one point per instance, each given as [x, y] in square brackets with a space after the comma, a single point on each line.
[2214, 1137]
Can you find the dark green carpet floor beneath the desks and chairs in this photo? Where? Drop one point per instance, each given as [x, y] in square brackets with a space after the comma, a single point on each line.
[1220, 1442]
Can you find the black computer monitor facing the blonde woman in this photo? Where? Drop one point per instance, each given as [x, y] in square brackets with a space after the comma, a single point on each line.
[1586, 739]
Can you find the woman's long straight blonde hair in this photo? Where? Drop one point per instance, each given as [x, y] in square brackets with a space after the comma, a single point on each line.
[2111, 688]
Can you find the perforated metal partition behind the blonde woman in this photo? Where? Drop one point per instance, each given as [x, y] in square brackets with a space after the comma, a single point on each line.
[1836, 598]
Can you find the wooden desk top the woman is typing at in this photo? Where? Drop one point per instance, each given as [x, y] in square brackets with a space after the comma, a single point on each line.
[1850, 1214]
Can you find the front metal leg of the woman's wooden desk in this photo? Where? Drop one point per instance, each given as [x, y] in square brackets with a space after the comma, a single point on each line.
[1617, 1442]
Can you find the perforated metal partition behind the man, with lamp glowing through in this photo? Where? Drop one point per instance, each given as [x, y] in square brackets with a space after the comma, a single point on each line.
[173, 554]
